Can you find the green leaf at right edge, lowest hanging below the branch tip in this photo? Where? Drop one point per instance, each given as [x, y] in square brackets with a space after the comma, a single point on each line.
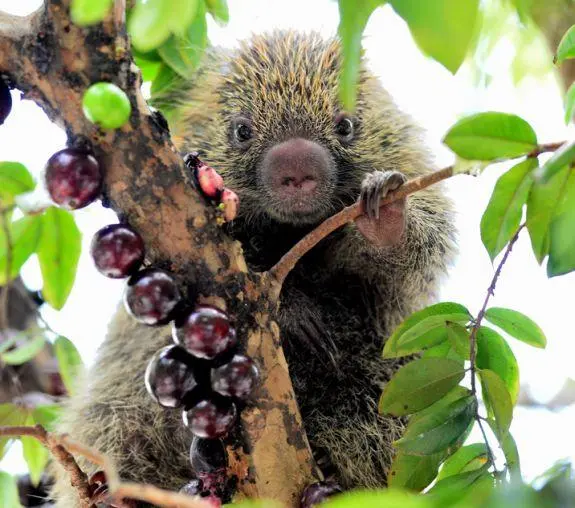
[561, 238]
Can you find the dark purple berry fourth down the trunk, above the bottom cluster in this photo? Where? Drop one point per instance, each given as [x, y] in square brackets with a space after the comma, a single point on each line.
[206, 332]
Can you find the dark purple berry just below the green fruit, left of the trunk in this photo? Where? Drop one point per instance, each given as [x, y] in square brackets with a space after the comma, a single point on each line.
[73, 178]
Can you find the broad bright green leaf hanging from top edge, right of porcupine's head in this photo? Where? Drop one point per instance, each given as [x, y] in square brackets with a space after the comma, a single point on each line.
[443, 29]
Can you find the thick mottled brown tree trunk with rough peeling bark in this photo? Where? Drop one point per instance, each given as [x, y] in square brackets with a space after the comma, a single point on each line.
[52, 62]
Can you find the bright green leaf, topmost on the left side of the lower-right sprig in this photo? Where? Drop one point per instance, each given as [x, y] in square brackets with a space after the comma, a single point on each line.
[415, 332]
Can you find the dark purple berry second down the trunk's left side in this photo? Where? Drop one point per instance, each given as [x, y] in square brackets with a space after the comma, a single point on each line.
[117, 250]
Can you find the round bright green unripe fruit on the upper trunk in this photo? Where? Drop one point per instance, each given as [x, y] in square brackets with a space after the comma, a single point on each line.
[106, 105]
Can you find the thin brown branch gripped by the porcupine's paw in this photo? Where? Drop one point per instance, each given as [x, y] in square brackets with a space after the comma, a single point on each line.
[280, 271]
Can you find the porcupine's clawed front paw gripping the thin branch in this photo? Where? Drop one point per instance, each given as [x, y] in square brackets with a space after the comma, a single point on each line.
[383, 227]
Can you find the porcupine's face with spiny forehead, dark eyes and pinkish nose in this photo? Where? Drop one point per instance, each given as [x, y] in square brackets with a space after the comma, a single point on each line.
[287, 136]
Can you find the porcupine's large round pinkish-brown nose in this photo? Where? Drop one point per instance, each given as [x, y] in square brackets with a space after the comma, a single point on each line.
[294, 167]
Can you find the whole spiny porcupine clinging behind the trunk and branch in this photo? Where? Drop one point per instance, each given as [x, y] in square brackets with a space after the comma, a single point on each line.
[339, 303]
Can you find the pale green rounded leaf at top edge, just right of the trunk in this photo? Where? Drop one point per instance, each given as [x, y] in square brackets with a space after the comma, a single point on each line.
[149, 24]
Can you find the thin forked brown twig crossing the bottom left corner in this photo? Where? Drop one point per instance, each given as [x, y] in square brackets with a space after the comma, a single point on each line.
[62, 447]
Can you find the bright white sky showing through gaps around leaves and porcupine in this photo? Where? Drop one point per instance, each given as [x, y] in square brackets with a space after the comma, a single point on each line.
[434, 98]
